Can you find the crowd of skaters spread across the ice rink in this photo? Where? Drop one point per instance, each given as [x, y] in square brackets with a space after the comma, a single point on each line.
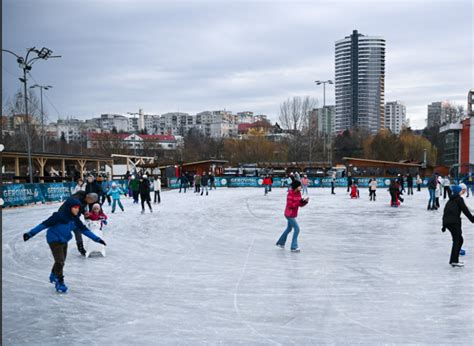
[88, 198]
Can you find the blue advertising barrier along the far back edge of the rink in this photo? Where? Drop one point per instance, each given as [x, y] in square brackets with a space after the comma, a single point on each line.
[279, 182]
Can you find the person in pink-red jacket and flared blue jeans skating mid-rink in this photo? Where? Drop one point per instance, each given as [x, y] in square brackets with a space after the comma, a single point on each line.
[293, 202]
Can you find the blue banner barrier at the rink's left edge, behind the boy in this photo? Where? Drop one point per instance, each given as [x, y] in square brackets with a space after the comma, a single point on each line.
[23, 194]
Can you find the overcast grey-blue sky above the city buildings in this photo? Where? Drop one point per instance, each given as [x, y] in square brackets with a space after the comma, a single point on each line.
[118, 56]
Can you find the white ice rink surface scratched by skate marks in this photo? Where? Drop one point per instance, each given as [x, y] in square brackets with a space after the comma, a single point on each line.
[205, 270]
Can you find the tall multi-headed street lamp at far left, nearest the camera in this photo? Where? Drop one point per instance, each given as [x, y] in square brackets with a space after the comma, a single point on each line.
[26, 63]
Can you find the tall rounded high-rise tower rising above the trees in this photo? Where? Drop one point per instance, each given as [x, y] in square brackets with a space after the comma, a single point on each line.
[360, 82]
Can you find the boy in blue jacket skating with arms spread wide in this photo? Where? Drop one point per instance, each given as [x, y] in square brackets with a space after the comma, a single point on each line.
[60, 225]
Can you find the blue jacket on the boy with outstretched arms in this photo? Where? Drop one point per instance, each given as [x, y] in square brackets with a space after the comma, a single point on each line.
[61, 224]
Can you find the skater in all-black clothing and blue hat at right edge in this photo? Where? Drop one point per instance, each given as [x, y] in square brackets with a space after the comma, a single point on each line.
[452, 222]
